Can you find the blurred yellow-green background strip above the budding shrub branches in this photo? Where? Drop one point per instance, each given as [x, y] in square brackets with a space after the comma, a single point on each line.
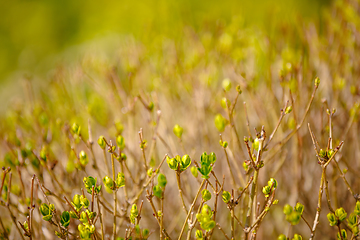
[33, 31]
